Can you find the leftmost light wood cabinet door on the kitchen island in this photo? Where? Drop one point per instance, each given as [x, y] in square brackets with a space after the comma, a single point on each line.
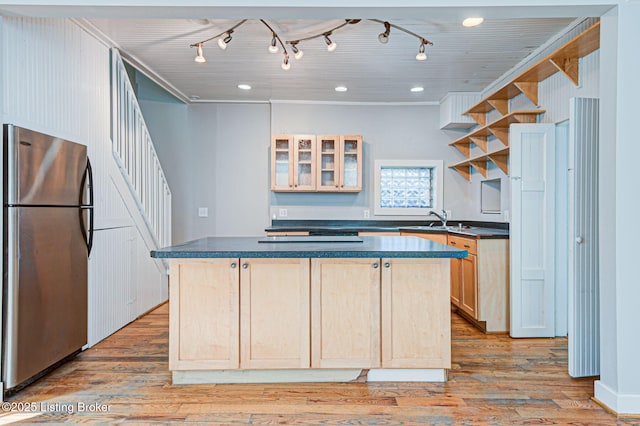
[204, 314]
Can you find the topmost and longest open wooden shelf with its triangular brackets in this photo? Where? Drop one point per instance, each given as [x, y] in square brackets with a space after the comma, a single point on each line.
[565, 59]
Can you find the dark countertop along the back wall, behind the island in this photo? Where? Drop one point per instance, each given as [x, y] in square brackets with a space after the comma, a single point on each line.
[469, 229]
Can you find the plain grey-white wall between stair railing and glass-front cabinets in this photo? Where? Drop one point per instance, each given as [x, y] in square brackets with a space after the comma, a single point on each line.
[214, 156]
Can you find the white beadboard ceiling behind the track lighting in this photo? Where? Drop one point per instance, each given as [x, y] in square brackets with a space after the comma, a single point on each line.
[461, 59]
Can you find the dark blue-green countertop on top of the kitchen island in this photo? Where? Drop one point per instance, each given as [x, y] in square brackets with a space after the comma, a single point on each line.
[249, 247]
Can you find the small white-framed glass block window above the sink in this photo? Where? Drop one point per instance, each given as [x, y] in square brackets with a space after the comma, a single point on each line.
[408, 187]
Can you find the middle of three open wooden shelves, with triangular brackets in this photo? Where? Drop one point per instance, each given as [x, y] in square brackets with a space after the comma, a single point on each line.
[498, 128]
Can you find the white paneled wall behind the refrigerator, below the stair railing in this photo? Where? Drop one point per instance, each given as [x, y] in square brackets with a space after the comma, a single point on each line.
[56, 79]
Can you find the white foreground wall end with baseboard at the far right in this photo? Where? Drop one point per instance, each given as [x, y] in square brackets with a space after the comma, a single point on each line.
[619, 384]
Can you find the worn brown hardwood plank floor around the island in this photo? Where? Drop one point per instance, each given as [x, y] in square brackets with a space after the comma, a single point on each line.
[493, 380]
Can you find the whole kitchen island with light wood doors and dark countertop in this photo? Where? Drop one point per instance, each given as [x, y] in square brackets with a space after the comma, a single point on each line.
[301, 309]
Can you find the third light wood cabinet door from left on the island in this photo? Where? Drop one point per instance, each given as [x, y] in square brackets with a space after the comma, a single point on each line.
[345, 313]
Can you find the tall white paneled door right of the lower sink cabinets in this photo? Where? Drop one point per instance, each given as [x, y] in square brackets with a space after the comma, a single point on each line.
[532, 230]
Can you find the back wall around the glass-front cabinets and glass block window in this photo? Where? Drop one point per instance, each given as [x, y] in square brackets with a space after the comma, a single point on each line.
[398, 132]
